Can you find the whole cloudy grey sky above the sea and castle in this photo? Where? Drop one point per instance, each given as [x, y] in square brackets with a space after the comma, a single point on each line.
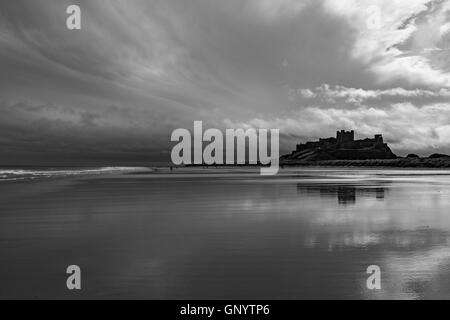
[138, 69]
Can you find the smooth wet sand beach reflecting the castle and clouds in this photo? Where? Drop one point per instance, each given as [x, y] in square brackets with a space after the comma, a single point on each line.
[216, 234]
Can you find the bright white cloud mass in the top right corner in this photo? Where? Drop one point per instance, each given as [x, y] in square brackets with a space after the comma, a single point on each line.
[398, 49]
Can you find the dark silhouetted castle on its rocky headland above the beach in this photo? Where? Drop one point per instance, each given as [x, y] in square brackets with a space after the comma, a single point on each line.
[343, 147]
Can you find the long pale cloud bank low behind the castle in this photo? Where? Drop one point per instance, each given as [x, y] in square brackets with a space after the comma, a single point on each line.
[405, 126]
